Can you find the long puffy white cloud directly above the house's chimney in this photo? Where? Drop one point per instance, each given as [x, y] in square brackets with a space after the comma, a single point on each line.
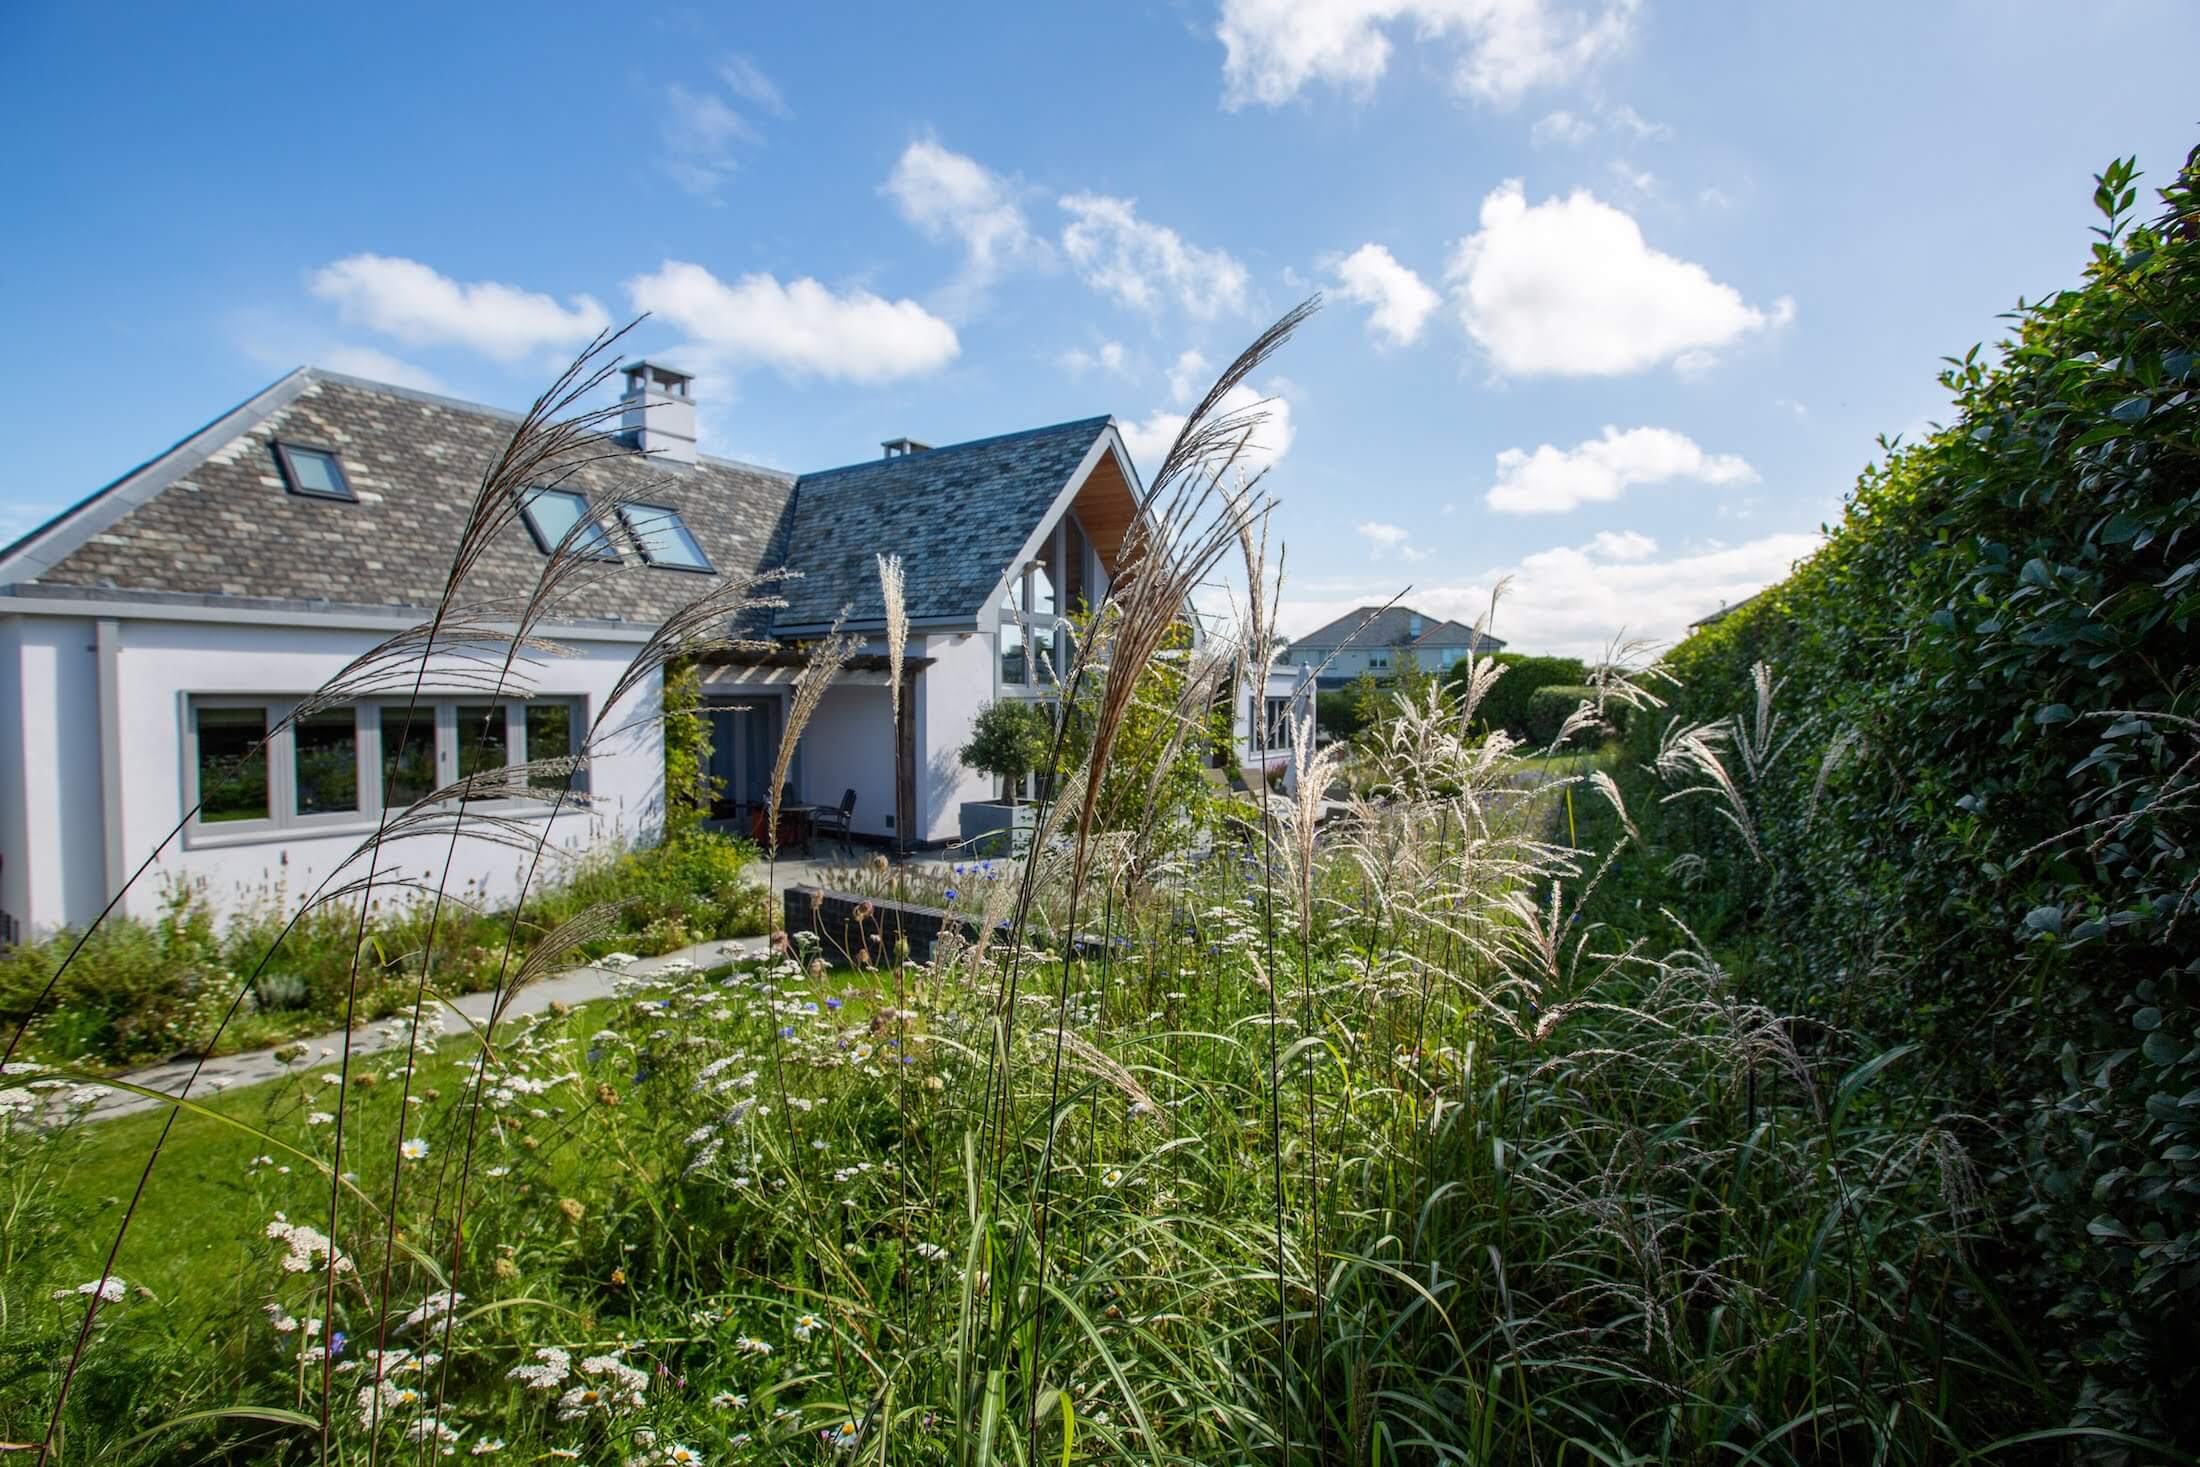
[800, 329]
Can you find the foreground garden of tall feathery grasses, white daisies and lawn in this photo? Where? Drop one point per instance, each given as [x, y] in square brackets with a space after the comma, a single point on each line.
[1319, 1132]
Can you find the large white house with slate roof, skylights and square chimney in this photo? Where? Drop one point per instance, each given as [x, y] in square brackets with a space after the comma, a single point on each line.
[157, 637]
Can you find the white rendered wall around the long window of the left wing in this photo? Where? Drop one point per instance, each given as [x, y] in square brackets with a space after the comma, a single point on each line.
[74, 841]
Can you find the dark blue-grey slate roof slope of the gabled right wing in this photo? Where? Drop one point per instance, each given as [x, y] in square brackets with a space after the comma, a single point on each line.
[958, 518]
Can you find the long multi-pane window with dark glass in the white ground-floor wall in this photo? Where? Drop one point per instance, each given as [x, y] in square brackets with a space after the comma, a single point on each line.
[344, 766]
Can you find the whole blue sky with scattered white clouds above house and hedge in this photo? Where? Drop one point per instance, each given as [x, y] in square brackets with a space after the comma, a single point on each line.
[1620, 291]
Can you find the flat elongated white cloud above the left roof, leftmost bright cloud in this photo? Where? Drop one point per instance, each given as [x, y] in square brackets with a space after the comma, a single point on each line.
[412, 302]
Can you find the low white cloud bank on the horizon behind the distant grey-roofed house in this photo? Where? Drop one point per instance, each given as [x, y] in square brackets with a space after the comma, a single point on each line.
[1576, 599]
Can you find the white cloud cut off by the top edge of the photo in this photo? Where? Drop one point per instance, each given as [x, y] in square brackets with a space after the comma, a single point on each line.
[1501, 49]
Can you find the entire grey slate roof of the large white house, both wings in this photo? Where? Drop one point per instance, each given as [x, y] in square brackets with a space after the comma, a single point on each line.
[212, 520]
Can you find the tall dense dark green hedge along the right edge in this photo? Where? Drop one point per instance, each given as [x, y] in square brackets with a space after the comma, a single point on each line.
[1981, 830]
